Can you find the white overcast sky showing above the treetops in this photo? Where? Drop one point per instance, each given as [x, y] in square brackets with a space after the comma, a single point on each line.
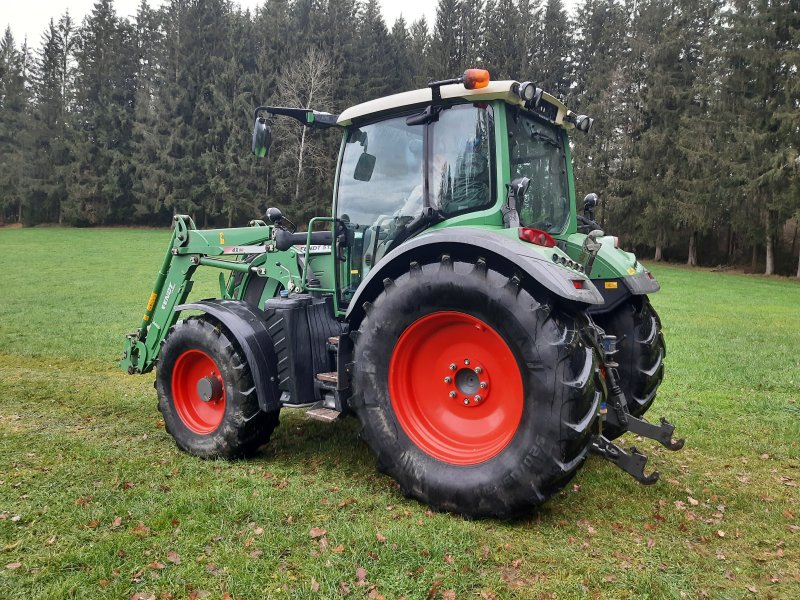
[30, 17]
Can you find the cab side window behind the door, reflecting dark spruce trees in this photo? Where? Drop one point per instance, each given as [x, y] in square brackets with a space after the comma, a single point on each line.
[460, 169]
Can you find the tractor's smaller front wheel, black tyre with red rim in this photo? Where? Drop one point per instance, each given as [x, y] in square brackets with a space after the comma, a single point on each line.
[200, 357]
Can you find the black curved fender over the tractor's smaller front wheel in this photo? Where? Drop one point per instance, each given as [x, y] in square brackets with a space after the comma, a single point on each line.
[248, 326]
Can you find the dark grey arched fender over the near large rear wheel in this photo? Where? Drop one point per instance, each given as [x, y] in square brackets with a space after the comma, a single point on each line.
[471, 243]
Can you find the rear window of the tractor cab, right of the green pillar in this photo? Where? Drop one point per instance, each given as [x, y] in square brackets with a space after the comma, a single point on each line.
[537, 152]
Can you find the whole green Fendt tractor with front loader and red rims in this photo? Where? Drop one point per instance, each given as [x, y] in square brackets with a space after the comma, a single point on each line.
[486, 335]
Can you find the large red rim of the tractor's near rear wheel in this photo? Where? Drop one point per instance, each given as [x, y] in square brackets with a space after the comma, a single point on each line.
[456, 388]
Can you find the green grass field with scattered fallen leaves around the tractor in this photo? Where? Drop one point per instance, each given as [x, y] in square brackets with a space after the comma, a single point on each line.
[96, 501]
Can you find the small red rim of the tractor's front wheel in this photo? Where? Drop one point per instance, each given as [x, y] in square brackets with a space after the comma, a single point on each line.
[196, 374]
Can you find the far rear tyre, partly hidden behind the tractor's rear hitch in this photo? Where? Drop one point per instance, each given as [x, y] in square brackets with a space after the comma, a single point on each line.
[641, 352]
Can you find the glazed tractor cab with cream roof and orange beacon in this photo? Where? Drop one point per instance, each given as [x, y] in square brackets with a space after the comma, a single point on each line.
[413, 161]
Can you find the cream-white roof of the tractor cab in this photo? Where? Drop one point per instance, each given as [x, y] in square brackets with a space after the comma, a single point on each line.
[496, 90]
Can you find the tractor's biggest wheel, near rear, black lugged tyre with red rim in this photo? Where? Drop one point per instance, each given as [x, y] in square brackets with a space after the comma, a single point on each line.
[476, 394]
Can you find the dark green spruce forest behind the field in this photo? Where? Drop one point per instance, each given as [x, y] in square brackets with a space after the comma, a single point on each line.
[694, 150]
